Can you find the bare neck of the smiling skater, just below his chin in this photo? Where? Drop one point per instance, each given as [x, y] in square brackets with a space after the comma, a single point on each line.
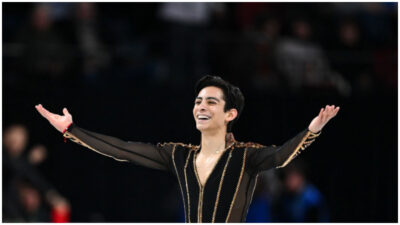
[212, 142]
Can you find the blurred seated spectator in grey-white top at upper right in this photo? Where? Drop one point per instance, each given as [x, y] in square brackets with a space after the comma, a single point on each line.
[303, 62]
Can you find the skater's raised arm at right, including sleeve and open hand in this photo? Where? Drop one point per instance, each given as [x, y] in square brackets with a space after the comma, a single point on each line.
[266, 157]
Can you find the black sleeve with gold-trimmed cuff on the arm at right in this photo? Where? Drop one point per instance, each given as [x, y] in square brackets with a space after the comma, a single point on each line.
[267, 157]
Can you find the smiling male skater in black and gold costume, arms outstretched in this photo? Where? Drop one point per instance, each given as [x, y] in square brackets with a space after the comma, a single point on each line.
[216, 178]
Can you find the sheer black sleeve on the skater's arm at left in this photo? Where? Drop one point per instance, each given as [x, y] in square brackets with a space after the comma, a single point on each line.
[148, 155]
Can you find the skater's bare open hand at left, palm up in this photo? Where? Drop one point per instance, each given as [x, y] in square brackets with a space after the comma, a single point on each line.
[58, 121]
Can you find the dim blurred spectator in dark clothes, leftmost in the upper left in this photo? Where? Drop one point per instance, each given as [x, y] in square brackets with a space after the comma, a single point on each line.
[45, 56]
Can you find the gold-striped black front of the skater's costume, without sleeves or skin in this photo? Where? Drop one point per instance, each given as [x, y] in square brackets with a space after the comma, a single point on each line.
[214, 201]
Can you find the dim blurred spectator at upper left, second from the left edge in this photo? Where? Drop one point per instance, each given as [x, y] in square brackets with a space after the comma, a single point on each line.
[94, 56]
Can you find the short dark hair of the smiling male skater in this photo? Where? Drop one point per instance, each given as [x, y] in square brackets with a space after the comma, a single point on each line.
[233, 97]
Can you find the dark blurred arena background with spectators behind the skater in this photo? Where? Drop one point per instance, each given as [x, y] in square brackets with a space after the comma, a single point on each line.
[128, 70]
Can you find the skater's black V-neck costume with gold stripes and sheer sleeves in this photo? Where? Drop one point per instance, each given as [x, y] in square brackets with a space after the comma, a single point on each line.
[228, 191]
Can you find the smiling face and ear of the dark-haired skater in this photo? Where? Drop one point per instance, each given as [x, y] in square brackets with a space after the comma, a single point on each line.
[208, 110]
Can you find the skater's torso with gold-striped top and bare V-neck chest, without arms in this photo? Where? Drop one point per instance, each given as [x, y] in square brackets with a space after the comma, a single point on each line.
[217, 188]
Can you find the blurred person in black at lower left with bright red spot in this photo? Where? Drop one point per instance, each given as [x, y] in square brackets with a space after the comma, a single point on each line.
[24, 189]
